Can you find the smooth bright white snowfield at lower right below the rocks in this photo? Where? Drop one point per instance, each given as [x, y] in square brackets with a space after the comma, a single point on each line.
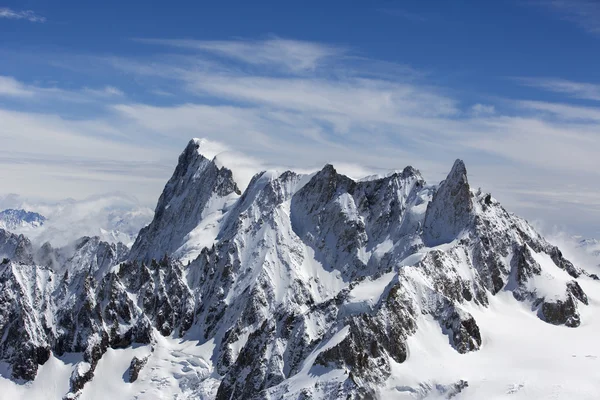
[520, 358]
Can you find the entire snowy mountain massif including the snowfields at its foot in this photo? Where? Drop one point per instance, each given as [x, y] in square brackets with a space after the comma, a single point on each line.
[305, 287]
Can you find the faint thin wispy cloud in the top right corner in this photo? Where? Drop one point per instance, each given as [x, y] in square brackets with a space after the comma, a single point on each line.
[585, 13]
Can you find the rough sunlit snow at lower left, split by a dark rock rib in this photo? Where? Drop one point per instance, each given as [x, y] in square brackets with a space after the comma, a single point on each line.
[176, 369]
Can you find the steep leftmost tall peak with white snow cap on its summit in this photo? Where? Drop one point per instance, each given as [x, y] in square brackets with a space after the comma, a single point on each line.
[197, 195]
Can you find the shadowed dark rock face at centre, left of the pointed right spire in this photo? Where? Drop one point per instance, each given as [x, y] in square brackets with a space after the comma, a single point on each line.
[337, 216]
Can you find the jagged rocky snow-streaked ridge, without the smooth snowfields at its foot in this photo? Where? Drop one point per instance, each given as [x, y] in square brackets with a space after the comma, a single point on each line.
[301, 278]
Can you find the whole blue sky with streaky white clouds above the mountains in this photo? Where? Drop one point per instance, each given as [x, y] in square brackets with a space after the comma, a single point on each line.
[101, 97]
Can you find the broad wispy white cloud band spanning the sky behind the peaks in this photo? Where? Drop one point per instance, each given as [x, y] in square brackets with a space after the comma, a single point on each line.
[257, 100]
